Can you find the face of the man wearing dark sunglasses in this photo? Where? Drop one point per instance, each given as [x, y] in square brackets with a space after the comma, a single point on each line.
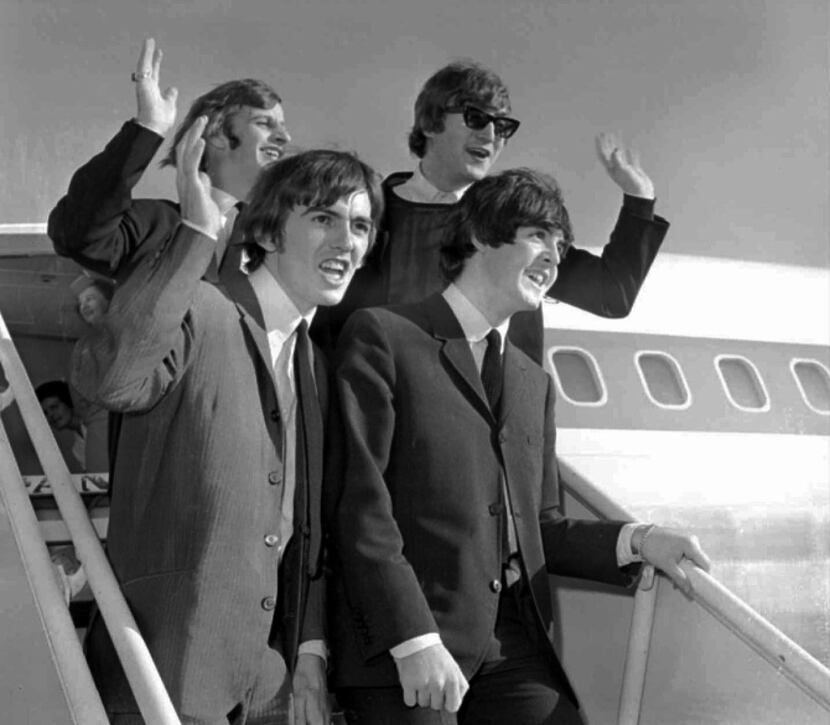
[464, 154]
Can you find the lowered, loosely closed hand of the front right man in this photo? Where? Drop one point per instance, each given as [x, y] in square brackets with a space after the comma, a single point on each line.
[432, 678]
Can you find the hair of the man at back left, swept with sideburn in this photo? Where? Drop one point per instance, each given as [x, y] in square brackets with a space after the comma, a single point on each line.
[220, 105]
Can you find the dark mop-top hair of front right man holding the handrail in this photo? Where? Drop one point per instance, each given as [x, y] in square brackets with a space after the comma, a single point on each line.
[494, 207]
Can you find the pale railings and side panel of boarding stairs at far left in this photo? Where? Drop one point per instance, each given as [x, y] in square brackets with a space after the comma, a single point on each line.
[33, 700]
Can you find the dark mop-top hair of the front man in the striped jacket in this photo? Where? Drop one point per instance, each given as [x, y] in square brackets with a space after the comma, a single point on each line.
[312, 178]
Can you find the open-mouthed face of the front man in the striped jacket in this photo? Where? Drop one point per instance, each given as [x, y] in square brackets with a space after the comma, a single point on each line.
[322, 247]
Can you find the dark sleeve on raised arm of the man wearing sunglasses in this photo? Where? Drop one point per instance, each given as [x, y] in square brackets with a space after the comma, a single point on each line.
[608, 285]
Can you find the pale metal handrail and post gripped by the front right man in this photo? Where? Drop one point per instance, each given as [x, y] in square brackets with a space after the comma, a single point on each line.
[788, 658]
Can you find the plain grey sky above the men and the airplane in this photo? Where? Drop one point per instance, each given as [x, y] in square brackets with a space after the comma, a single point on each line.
[727, 103]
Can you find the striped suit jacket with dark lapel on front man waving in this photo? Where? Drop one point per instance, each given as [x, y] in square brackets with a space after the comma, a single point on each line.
[199, 484]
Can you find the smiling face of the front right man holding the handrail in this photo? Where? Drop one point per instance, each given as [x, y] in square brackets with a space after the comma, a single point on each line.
[521, 273]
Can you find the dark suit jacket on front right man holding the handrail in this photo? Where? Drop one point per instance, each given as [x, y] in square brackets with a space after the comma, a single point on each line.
[419, 503]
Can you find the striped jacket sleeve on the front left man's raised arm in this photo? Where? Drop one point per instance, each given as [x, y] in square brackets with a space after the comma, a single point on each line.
[147, 339]
